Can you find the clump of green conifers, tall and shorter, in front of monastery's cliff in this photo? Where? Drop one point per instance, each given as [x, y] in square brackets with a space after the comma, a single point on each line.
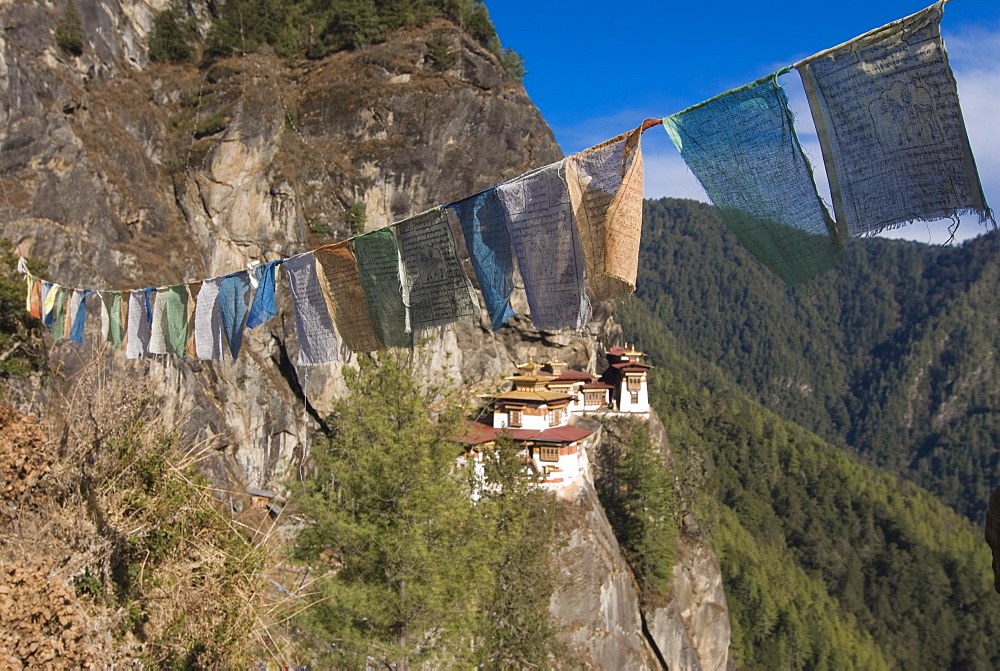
[419, 572]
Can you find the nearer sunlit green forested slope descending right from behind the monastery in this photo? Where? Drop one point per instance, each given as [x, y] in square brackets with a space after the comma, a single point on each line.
[827, 563]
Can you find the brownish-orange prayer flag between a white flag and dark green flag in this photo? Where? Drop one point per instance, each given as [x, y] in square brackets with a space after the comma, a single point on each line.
[341, 281]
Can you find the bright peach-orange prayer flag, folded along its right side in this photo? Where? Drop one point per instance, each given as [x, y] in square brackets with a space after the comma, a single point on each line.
[605, 186]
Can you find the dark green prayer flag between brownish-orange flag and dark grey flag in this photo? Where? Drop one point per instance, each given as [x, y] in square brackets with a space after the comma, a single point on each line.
[378, 269]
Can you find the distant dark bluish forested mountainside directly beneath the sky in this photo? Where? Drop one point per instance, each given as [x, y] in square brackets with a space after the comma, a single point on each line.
[894, 358]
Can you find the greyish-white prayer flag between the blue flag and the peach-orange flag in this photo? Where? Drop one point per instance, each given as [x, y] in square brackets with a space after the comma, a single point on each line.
[545, 241]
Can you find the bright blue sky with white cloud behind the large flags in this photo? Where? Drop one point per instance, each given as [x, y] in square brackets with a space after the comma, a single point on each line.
[597, 69]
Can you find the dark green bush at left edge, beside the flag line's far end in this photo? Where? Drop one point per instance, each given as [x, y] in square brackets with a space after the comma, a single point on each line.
[21, 347]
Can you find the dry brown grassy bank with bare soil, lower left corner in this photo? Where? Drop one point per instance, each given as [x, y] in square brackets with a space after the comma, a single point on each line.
[114, 551]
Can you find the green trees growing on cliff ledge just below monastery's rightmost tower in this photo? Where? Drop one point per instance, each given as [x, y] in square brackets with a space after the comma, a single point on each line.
[637, 493]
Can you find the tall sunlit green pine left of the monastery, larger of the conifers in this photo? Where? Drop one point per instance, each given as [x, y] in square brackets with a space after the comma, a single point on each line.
[398, 523]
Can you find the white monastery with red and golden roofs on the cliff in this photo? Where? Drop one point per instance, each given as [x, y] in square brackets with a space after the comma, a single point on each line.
[537, 412]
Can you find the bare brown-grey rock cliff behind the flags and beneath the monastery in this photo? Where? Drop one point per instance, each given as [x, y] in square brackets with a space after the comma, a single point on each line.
[121, 174]
